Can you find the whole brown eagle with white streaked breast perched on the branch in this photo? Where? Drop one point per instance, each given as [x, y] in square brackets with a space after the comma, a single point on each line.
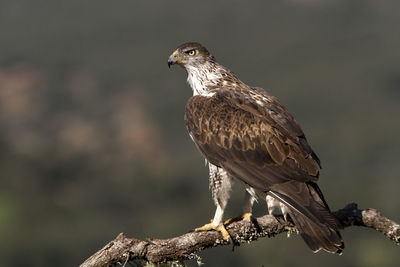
[245, 134]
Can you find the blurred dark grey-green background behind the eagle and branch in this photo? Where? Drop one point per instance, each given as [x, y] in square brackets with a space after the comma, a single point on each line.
[92, 137]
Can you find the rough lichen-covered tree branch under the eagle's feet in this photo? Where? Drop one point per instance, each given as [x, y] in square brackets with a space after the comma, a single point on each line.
[123, 249]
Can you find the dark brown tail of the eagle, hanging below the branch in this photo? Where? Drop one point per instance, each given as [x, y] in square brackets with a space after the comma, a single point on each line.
[311, 215]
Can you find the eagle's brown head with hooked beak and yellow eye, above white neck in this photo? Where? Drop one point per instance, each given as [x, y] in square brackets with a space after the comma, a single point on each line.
[190, 55]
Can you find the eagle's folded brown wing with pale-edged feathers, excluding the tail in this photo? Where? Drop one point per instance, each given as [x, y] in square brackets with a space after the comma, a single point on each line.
[241, 136]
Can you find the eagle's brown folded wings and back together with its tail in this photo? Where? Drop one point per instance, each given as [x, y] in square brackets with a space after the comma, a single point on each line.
[262, 145]
